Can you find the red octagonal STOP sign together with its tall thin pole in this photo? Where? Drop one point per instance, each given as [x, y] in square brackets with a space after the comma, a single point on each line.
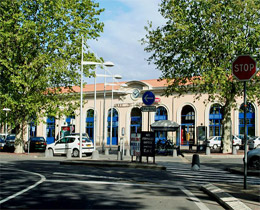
[244, 68]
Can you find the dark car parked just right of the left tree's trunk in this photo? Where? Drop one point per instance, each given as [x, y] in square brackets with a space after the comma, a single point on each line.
[36, 144]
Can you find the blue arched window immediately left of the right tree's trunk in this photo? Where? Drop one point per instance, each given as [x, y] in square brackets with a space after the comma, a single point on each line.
[215, 120]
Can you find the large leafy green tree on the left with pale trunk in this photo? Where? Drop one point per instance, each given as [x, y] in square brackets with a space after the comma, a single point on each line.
[40, 51]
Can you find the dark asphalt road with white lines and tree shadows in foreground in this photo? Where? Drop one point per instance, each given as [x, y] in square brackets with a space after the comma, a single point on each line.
[45, 184]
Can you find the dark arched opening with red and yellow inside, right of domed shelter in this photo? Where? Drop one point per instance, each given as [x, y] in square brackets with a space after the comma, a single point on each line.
[187, 125]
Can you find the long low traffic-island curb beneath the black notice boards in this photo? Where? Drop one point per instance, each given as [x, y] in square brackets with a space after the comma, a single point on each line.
[104, 163]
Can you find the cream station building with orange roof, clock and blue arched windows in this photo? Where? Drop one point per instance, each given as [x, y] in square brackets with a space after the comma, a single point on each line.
[128, 119]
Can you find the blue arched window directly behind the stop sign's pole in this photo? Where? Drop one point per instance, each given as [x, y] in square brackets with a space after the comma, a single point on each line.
[250, 119]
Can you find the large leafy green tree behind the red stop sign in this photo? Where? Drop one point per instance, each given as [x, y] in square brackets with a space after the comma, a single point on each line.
[195, 48]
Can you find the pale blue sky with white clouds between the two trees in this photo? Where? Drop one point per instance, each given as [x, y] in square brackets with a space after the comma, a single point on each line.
[120, 43]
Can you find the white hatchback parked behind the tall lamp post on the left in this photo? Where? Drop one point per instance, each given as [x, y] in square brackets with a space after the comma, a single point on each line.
[71, 143]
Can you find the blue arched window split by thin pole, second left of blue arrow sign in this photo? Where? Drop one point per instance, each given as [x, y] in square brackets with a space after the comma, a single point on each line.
[114, 127]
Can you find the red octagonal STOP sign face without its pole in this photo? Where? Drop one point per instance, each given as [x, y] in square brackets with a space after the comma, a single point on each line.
[244, 67]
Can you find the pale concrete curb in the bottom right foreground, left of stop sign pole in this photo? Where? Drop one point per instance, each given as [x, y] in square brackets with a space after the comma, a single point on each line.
[227, 200]
